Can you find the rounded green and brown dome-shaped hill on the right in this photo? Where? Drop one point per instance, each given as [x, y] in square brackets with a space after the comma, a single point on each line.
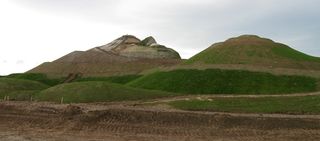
[253, 50]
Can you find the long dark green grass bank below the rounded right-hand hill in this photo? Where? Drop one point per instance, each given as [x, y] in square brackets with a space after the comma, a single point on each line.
[215, 81]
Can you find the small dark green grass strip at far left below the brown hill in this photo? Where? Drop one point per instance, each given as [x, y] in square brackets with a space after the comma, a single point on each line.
[36, 77]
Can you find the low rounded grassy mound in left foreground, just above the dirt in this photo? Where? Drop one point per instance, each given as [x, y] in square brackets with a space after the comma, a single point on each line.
[96, 91]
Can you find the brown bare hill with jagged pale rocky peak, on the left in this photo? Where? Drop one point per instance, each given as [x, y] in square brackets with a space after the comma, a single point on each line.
[125, 55]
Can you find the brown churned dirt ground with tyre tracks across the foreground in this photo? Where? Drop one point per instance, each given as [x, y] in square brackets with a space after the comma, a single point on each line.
[38, 121]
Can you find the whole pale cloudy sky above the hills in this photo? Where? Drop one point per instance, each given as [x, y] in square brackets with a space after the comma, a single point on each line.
[37, 31]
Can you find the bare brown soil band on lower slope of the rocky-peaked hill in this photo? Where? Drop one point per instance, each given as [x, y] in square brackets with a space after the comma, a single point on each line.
[102, 68]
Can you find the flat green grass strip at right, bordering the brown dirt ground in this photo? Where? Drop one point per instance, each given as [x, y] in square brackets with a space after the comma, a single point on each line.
[287, 105]
